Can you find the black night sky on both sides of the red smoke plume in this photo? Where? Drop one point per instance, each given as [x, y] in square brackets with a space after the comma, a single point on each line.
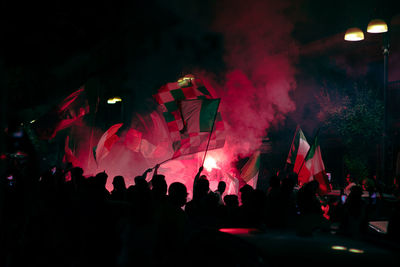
[53, 48]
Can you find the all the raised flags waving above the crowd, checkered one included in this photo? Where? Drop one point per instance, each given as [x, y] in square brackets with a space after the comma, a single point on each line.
[193, 123]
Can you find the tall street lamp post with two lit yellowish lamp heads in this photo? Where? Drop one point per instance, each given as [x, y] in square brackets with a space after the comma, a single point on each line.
[355, 34]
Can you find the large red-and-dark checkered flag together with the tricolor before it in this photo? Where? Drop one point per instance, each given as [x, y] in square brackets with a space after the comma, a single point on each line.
[189, 122]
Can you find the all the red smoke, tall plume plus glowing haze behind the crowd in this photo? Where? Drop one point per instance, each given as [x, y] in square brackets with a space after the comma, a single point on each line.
[254, 91]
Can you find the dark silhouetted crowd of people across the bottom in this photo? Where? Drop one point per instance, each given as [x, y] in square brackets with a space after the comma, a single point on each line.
[66, 219]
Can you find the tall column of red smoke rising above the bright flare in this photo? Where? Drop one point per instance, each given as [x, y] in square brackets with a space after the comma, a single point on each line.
[259, 56]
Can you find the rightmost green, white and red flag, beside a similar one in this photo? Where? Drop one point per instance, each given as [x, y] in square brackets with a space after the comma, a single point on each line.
[315, 166]
